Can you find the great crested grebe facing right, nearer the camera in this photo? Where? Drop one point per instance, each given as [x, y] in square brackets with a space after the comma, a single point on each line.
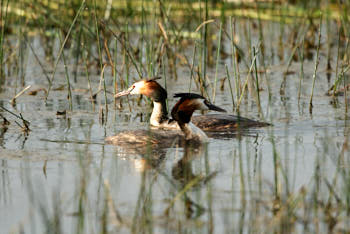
[181, 113]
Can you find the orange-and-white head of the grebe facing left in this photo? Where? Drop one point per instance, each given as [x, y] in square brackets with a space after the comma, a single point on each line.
[147, 87]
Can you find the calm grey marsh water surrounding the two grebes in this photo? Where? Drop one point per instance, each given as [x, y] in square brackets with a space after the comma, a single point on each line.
[62, 176]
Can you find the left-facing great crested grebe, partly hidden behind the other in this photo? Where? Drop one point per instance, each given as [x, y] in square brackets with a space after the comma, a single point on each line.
[159, 117]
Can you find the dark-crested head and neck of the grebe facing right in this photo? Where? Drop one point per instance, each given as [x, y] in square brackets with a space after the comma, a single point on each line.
[183, 110]
